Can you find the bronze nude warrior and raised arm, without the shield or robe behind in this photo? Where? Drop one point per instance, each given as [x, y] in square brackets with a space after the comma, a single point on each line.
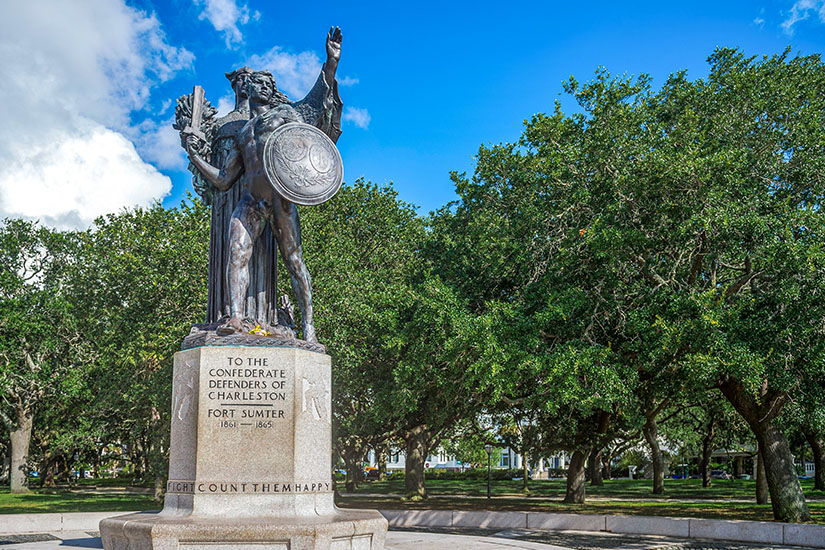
[259, 203]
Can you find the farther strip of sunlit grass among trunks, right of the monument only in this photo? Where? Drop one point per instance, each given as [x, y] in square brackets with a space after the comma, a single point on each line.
[621, 489]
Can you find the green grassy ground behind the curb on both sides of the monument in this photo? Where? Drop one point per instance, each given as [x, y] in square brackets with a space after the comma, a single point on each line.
[682, 498]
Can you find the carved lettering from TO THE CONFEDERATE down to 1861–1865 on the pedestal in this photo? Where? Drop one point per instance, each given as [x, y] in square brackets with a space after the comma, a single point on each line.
[246, 393]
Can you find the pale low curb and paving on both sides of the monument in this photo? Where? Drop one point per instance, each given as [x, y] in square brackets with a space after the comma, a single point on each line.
[485, 529]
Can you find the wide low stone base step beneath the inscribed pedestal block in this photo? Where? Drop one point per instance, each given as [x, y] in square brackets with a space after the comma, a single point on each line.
[342, 530]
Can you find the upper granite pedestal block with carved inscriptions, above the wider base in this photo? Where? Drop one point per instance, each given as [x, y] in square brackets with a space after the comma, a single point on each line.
[250, 420]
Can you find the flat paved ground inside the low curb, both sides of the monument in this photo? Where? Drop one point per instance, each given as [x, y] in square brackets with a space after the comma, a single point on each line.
[448, 539]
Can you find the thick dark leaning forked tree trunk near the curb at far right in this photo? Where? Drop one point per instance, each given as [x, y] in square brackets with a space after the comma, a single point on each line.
[787, 499]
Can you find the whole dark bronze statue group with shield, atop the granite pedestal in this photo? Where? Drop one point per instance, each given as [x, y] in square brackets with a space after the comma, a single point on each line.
[280, 153]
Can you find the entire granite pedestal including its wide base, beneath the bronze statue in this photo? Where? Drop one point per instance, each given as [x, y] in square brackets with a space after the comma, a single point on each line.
[249, 460]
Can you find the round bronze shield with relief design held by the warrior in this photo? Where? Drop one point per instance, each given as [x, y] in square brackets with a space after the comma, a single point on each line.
[302, 164]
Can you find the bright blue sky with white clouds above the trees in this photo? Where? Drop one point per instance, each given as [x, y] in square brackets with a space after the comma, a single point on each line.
[425, 83]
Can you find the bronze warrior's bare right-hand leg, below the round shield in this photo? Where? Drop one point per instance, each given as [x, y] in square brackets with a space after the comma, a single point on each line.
[288, 232]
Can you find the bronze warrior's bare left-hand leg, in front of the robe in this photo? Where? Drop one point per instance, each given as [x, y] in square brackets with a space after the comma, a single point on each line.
[247, 223]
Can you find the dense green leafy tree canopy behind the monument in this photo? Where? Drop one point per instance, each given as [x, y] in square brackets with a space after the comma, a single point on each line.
[657, 254]
